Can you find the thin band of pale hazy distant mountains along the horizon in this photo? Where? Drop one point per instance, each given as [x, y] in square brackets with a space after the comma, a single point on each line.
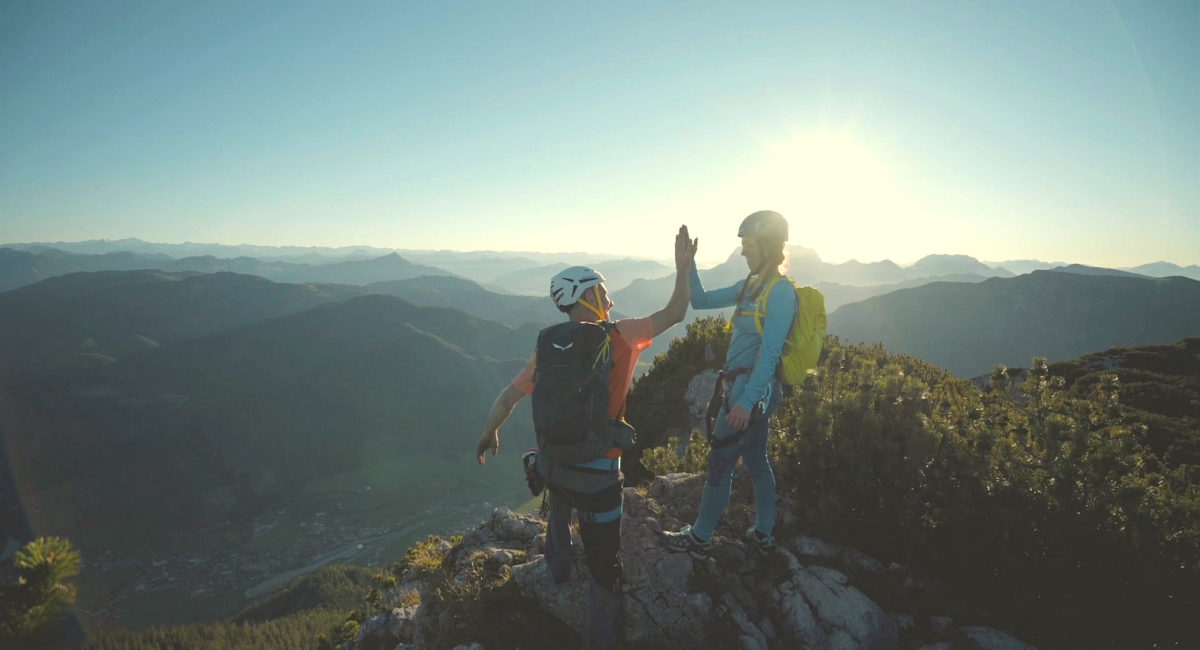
[505, 273]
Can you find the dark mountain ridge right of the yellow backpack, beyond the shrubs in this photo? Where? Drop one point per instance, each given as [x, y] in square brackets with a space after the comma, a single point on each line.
[970, 328]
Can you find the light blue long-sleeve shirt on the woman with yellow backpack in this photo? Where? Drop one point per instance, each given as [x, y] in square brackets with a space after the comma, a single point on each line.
[748, 348]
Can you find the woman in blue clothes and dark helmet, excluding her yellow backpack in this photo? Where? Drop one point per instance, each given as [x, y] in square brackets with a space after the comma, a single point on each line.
[752, 389]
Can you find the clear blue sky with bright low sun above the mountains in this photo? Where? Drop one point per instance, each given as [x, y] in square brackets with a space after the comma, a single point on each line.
[1060, 131]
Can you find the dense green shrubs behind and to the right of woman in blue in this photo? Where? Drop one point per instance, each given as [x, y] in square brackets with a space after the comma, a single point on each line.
[1061, 514]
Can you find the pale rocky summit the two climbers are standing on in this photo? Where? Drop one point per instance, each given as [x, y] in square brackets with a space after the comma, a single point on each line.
[808, 594]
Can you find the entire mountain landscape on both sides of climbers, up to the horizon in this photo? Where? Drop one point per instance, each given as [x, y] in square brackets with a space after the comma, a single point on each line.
[163, 398]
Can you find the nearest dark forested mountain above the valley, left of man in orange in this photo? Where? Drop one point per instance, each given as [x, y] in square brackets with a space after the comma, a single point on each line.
[292, 414]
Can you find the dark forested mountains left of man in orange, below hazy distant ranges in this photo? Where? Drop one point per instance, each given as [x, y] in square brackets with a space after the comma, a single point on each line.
[141, 402]
